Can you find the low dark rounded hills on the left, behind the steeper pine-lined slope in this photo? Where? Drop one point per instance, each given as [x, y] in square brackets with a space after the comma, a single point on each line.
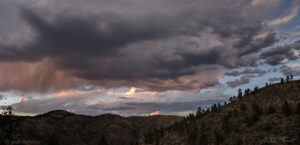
[61, 127]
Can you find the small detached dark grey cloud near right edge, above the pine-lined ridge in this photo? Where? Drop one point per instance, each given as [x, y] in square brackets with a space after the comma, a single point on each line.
[277, 55]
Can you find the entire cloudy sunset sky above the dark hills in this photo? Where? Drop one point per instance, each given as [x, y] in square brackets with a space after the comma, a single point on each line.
[141, 57]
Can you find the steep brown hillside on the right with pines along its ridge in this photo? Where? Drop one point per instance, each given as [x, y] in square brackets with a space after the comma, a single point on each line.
[270, 115]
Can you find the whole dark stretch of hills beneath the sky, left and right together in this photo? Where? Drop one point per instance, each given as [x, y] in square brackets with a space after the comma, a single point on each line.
[269, 115]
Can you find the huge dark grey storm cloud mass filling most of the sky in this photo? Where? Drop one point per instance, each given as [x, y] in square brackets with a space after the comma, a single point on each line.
[167, 46]
